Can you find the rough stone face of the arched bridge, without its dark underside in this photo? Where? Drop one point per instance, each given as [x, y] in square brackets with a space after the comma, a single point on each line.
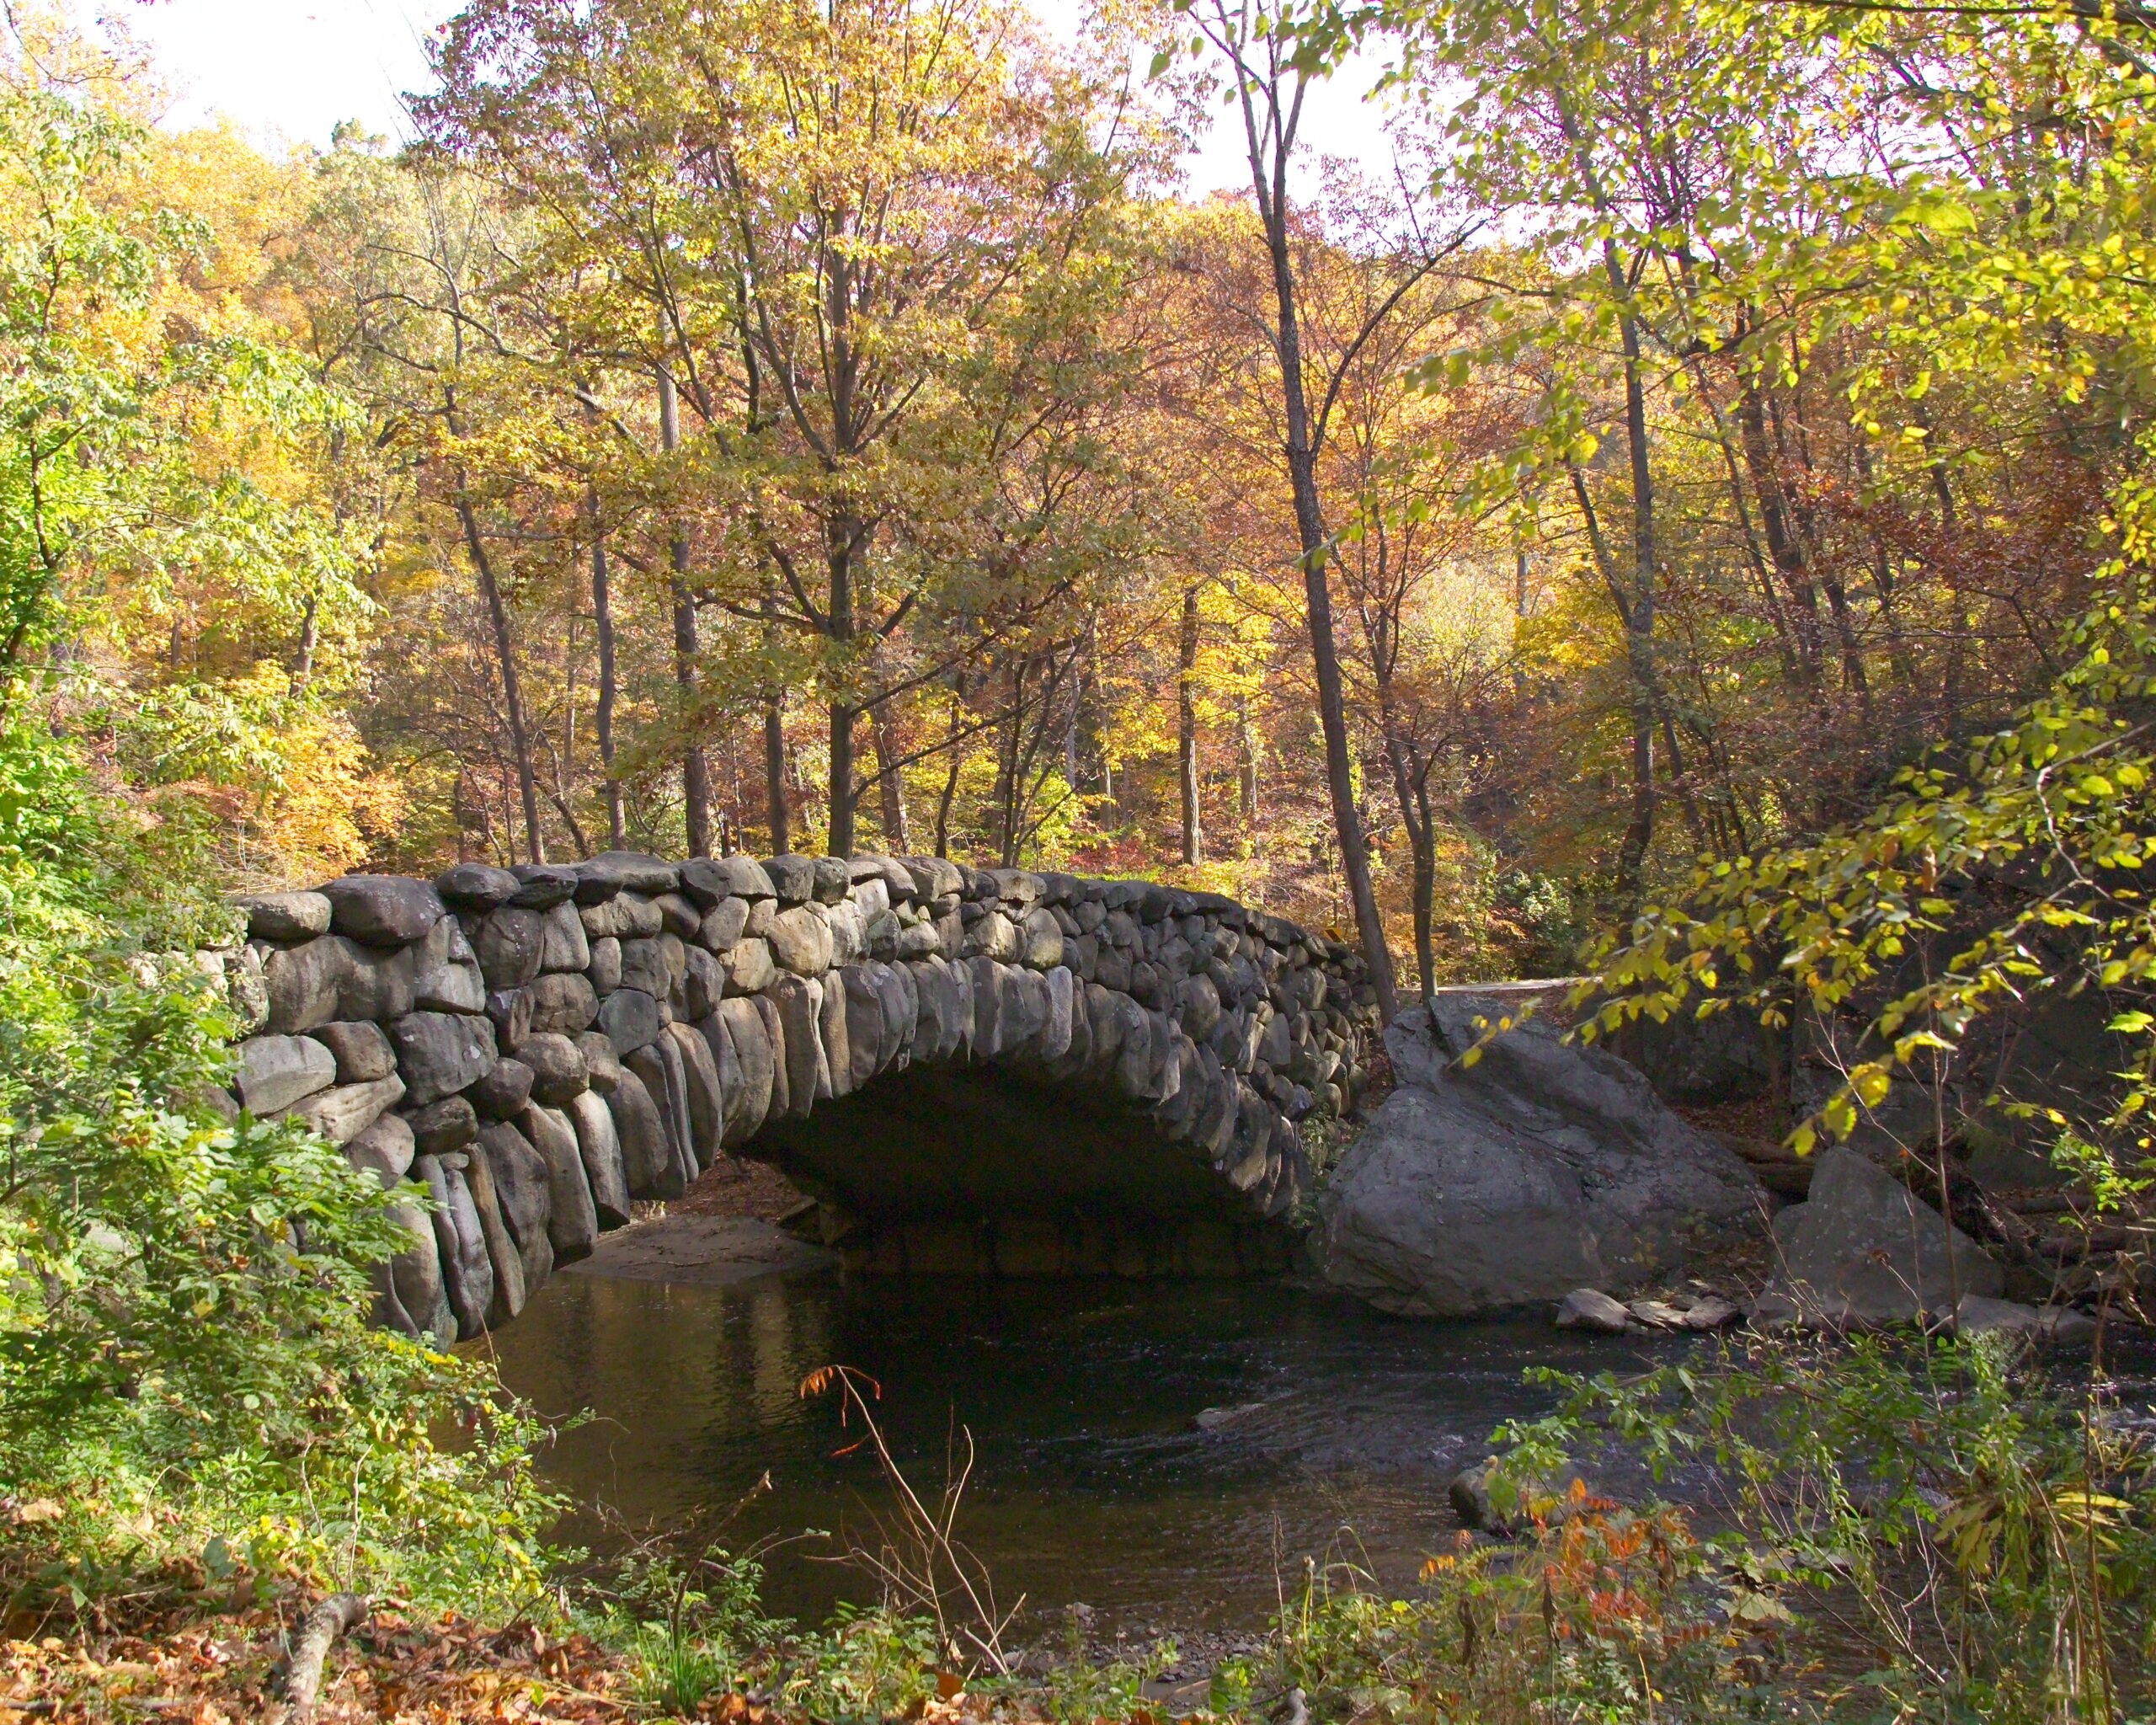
[538, 1047]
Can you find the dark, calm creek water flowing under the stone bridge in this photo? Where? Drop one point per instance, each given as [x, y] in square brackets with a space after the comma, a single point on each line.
[1329, 1431]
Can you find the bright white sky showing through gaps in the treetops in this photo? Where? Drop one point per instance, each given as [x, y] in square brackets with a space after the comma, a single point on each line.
[290, 70]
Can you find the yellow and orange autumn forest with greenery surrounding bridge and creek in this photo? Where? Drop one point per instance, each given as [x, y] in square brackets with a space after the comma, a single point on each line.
[1683, 525]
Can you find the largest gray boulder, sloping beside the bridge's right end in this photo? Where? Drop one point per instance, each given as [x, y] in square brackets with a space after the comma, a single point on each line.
[1515, 1181]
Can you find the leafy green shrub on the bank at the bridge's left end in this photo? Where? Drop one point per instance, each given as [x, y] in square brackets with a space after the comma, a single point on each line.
[189, 1381]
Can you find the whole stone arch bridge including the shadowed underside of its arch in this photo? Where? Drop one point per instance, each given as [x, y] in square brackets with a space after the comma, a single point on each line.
[969, 1071]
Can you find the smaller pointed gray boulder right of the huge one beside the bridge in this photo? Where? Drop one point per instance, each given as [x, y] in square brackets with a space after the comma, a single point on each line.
[1866, 1252]
